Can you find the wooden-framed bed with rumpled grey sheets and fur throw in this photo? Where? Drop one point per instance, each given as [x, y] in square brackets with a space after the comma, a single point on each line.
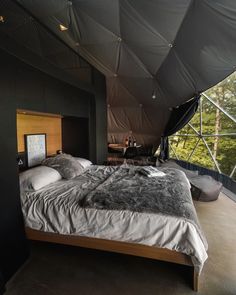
[119, 209]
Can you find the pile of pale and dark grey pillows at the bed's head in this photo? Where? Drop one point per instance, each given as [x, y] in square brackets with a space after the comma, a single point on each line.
[52, 169]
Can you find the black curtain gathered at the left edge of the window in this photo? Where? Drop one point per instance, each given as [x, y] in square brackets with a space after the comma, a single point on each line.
[178, 119]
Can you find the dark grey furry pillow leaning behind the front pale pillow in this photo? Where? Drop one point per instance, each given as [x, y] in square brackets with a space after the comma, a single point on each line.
[65, 164]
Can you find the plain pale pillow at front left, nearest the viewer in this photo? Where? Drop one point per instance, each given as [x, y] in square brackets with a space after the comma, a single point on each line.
[38, 177]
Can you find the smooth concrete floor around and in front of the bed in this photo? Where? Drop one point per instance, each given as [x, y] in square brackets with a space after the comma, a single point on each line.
[63, 270]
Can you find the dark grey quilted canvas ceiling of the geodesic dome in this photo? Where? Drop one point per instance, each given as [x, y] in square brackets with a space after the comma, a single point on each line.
[162, 49]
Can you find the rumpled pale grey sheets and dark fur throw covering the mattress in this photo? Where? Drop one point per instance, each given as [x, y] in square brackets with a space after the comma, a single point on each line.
[67, 207]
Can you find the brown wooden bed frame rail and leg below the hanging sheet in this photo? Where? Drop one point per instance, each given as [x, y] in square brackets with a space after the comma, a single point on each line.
[115, 246]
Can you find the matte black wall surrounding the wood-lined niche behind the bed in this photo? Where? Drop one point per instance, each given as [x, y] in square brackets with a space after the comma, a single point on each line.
[24, 87]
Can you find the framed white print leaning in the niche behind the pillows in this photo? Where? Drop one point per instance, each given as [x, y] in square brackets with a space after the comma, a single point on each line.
[35, 145]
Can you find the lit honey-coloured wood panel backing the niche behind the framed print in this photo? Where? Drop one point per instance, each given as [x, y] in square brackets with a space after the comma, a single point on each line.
[31, 124]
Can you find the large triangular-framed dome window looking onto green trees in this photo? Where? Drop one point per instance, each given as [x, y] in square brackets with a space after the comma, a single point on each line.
[209, 139]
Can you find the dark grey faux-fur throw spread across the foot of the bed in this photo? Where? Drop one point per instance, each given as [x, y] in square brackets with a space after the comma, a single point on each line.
[127, 189]
